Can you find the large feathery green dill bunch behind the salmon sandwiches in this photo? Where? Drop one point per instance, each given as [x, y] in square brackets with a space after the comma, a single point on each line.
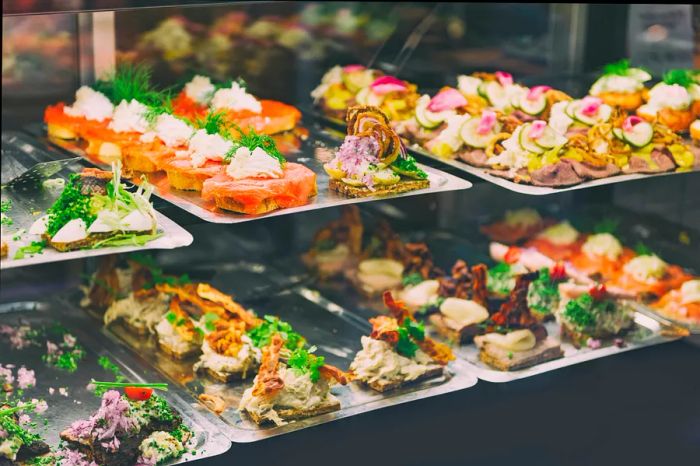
[130, 82]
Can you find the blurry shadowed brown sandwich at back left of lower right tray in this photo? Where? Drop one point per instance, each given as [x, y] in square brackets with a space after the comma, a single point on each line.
[337, 246]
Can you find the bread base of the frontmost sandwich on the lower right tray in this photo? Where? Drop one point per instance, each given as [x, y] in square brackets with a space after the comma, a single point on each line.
[498, 358]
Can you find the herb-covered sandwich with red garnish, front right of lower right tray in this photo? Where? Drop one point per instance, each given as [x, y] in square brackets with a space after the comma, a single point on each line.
[589, 315]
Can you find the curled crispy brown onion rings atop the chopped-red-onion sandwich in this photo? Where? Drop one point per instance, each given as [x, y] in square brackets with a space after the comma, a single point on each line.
[369, 121]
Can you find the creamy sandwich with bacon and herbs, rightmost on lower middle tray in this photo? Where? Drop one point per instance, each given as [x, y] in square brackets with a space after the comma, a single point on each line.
[398, 351]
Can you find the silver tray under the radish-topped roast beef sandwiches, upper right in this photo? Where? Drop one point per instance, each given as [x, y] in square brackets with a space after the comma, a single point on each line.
[502, 182]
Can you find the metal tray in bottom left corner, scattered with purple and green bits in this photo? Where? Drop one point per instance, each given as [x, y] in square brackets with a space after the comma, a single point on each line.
[80, 403]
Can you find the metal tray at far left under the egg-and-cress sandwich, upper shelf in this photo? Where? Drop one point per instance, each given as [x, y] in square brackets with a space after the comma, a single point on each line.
[30, 201]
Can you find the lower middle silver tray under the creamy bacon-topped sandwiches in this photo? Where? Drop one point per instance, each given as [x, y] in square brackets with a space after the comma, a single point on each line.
[335, 331]
